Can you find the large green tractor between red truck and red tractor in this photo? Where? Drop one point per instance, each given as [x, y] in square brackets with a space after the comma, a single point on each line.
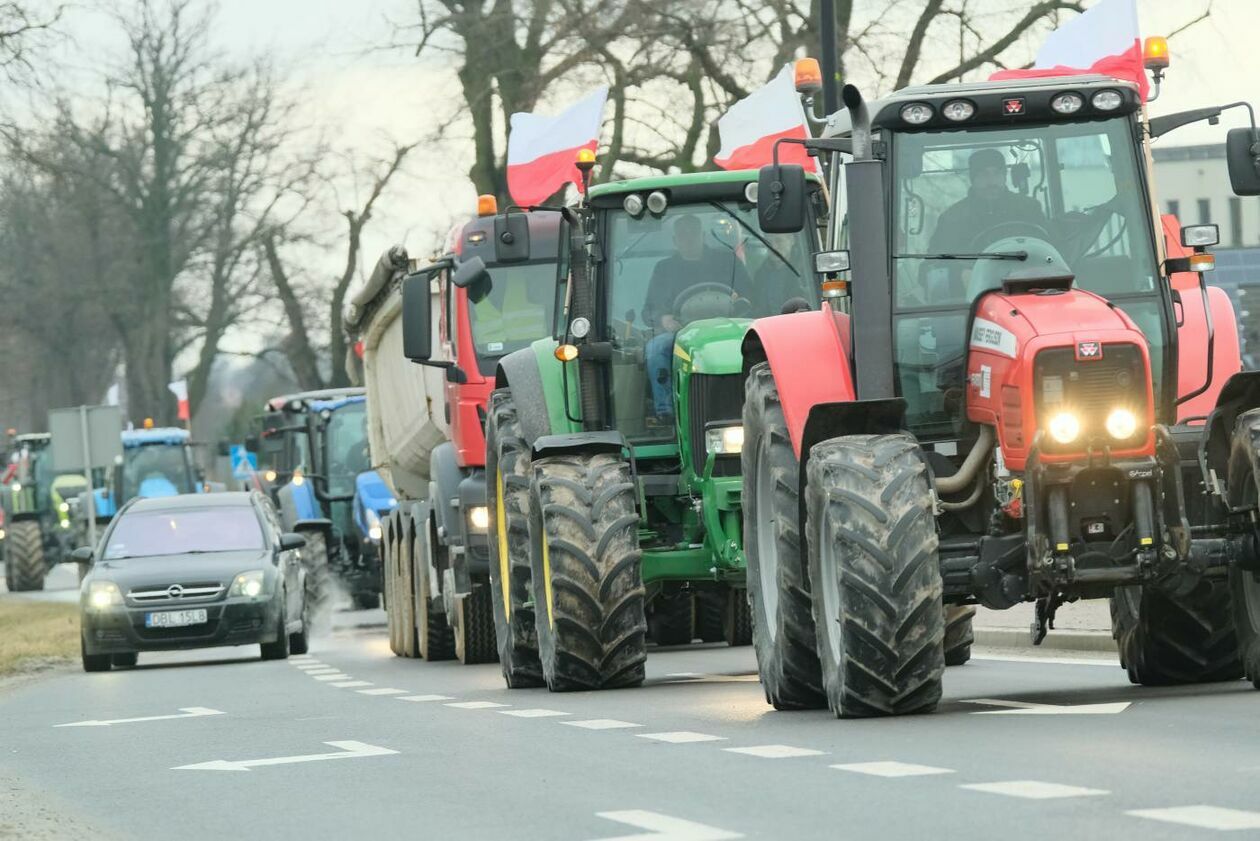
[613, 449]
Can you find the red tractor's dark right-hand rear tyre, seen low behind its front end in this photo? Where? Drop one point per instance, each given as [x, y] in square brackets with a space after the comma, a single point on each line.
[1166, 640]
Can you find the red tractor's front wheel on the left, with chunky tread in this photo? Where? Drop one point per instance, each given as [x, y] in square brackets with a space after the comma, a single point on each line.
[875, 576]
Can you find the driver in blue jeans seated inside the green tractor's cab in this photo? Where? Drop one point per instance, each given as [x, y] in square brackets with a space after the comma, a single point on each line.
[692, 264]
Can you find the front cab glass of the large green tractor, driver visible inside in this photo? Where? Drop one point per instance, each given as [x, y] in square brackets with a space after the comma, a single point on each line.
[709, 260]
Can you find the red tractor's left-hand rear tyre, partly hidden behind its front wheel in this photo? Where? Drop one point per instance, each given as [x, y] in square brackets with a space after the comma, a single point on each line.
[783, 623]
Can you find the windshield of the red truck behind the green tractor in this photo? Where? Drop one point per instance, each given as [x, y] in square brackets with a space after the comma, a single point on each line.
[515, 311]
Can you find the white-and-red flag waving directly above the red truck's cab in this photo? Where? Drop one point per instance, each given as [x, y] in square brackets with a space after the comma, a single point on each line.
[542, 152]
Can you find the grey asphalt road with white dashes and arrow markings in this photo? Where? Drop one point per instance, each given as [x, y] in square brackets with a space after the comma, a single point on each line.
[439, 751]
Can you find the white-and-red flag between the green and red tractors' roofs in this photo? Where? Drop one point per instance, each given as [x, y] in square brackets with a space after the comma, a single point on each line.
[754, 124]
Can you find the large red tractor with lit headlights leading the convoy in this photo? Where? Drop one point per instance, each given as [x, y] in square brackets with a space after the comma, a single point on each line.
[1019, 391]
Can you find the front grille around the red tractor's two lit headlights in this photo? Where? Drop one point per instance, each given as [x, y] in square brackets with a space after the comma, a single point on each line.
[1092, 390]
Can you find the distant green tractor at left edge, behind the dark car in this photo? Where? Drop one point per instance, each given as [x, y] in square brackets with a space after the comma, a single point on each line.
[37, 505]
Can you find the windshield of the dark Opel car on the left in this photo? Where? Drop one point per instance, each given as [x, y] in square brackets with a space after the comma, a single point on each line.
[148, 534]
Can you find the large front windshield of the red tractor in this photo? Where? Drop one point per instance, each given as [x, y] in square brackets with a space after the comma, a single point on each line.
[971, 207]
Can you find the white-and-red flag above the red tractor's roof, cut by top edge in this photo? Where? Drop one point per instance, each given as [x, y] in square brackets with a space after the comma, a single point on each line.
[1104, 40]
